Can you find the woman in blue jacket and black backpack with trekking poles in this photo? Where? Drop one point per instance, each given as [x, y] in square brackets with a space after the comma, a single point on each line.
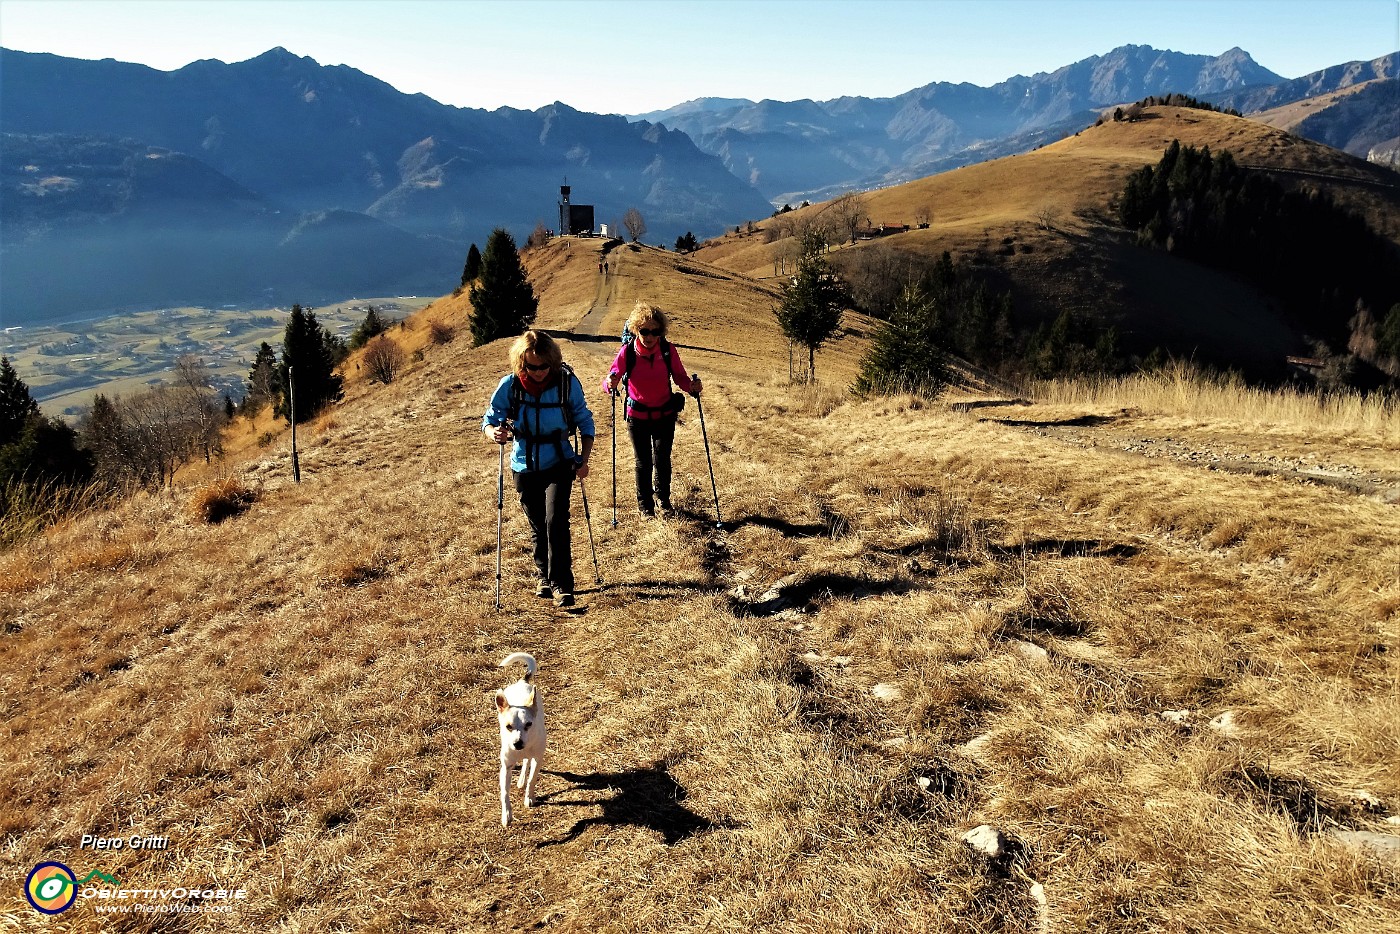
[541, 404]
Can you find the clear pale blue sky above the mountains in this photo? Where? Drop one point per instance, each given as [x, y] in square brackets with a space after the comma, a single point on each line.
[632, 57]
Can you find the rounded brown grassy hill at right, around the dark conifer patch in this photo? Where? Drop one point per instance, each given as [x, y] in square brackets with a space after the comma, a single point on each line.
[1042, 223]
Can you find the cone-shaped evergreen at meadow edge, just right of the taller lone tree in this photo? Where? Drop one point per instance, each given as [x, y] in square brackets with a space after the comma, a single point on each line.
[909, 351]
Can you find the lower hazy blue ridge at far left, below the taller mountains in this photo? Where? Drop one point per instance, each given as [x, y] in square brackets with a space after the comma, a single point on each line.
[100, 223]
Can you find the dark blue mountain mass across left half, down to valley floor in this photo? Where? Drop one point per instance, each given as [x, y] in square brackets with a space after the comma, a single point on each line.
[324, 141]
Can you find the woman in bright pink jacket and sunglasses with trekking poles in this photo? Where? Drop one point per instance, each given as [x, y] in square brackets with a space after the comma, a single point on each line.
[649, 365]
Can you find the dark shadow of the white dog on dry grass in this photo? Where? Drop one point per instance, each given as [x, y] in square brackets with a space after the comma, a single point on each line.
[647, 797]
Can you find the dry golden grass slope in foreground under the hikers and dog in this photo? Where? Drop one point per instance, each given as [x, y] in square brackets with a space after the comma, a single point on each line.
[1168, 687]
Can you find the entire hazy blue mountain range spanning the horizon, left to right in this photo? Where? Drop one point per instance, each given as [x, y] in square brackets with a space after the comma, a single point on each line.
[281, 180]
